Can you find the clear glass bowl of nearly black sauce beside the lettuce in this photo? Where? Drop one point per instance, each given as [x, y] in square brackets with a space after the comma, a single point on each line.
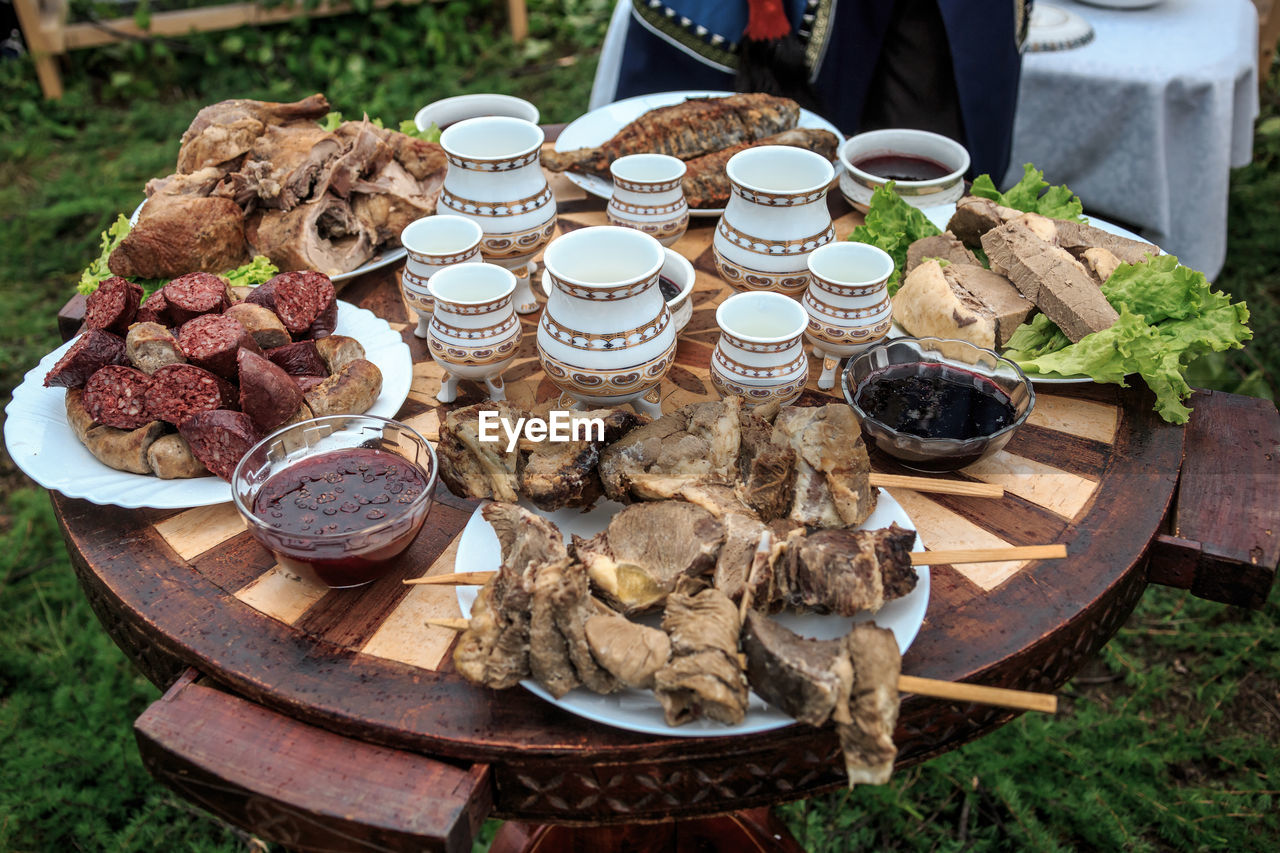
[938, 405]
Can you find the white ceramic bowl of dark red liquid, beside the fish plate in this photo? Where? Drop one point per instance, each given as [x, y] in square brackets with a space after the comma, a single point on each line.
[927, 170]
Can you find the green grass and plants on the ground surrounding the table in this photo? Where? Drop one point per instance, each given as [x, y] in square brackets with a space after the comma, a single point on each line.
[1171, 740]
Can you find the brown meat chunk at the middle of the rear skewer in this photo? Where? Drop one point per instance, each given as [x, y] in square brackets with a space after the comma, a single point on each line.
[694, 445]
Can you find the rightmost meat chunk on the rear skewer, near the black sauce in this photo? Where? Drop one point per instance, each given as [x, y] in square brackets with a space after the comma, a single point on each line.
[833, 486]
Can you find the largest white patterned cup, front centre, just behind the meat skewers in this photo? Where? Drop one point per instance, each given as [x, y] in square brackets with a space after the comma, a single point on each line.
[606, 337]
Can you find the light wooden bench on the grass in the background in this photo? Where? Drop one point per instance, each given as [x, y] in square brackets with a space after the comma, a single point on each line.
[49, 35]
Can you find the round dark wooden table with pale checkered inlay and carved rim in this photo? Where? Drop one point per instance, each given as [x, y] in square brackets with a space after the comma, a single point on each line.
[335, 720]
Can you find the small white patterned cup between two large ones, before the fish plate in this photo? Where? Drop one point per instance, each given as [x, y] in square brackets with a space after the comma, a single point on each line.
[650, 197]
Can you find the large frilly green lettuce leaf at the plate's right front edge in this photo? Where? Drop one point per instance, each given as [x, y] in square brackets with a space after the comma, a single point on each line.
[1169, 317]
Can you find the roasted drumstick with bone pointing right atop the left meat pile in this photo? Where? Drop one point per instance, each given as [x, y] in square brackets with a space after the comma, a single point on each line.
[228, 130]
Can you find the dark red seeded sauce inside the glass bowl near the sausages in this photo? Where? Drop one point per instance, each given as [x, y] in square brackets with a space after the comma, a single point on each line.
[344, 516]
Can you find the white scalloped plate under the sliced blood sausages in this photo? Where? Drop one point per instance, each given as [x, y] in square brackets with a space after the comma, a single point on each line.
[48, 451]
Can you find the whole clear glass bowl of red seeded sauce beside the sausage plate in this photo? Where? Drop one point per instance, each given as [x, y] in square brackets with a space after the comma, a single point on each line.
[339, 499]
